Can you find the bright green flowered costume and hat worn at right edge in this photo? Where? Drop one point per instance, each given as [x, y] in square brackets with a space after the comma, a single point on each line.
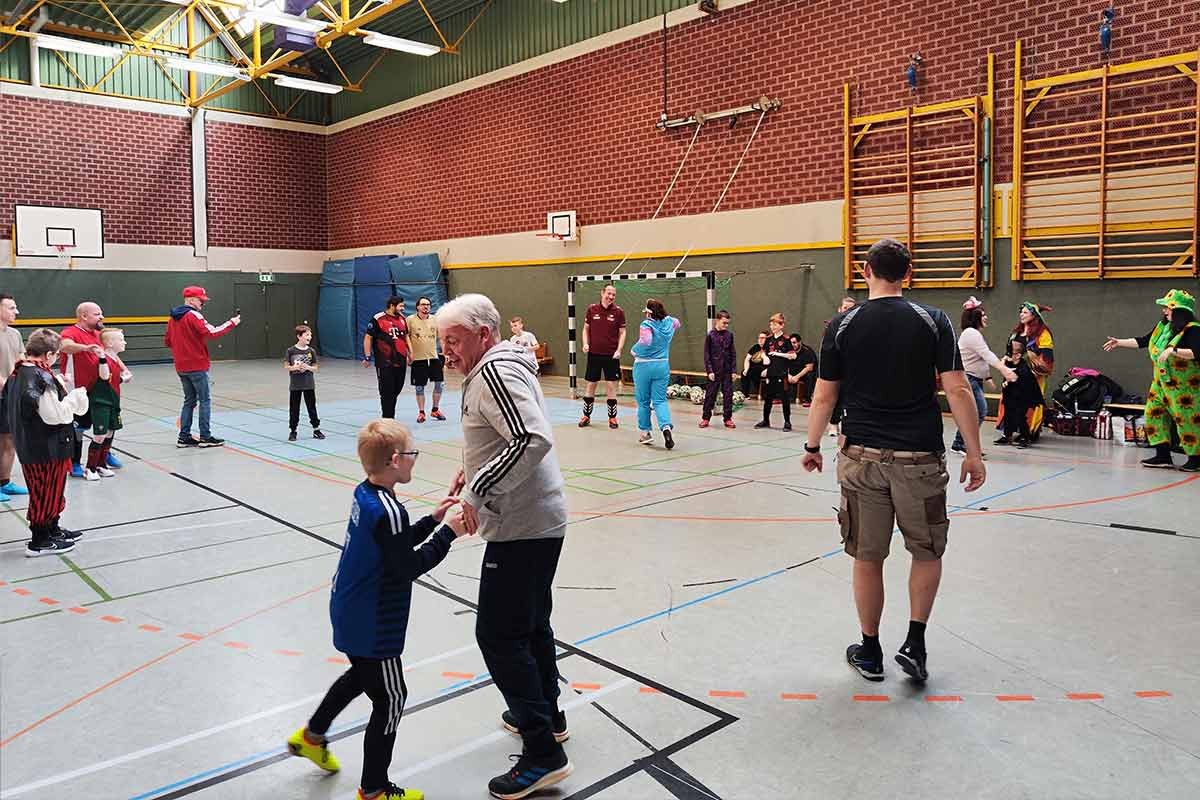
[1175, 390]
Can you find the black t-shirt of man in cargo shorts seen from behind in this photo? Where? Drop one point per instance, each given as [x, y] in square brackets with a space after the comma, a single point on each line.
[887, 353]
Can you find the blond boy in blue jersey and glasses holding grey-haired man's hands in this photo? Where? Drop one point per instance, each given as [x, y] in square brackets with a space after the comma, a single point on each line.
[370, 601]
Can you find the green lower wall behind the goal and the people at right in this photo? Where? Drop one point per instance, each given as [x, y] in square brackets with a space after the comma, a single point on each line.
[1085, 311]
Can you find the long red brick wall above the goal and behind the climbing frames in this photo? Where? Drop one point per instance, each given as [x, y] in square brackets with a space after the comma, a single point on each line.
[580, 135]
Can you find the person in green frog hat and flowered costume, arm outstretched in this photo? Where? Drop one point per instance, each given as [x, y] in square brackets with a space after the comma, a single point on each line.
[1174, 395]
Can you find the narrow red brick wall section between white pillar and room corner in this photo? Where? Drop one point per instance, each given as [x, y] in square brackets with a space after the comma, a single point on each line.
[267, 188]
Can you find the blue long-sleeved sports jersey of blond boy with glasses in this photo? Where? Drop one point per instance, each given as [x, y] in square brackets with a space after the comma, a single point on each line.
[374, 585]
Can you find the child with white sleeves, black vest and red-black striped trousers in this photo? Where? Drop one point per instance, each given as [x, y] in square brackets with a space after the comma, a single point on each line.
[41, 416]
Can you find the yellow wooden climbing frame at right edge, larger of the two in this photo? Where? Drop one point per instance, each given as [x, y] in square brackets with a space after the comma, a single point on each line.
[1107, 172]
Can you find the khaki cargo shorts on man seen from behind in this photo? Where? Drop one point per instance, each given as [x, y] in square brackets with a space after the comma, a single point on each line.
[883, 489]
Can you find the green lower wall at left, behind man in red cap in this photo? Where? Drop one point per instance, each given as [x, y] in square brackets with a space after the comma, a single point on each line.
[269, 314]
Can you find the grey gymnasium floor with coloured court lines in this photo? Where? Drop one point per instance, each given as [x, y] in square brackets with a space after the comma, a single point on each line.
[703, 606]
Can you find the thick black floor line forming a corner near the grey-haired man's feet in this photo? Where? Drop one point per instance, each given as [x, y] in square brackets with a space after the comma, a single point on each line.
[723, 719]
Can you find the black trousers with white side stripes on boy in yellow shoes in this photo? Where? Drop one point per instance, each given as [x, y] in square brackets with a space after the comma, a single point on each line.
[383, 682]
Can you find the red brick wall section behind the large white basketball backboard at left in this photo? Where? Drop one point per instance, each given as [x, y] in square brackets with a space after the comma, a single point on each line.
[133, 165]
